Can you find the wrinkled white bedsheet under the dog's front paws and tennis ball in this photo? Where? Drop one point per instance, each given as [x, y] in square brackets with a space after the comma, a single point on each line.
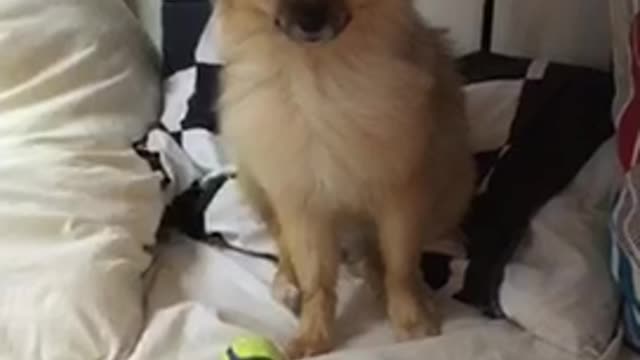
[201, 298]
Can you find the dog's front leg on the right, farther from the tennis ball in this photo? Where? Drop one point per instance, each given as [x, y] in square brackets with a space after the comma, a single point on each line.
[401, 226]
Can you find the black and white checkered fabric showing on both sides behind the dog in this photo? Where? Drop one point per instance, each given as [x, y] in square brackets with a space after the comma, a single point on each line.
[534, 125]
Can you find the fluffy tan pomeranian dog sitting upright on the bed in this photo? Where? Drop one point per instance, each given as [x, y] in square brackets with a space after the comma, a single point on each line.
[343, 114]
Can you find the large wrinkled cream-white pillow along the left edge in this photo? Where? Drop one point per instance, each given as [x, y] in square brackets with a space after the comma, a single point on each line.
[77, 205]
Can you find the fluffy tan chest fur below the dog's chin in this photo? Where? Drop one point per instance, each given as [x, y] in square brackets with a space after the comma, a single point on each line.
[332, 126]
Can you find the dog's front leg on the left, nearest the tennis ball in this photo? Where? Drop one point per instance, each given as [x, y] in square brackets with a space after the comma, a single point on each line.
[311, 242]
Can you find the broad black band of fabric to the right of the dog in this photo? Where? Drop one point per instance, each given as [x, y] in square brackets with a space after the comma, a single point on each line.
[561, 120]
